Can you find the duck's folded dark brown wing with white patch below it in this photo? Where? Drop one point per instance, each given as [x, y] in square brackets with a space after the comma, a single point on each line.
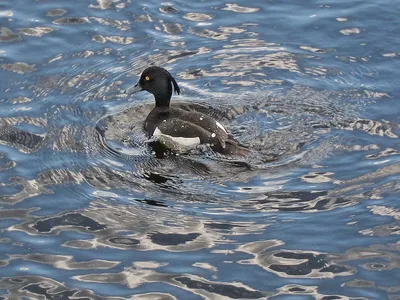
[188, 134]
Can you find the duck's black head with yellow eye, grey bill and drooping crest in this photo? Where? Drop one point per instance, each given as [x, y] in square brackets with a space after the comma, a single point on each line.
[158, 82]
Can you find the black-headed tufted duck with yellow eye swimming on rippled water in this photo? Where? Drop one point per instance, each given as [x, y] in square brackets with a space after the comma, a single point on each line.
[179, 130]
